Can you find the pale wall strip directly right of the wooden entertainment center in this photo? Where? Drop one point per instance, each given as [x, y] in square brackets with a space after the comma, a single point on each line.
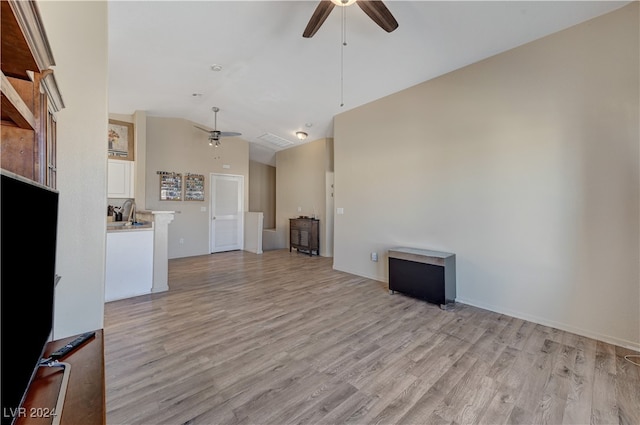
[77, 32]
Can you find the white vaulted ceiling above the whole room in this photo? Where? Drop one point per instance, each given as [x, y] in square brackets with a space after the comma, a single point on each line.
[275, 81]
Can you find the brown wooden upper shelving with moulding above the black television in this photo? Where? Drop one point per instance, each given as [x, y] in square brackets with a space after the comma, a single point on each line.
[30, 95]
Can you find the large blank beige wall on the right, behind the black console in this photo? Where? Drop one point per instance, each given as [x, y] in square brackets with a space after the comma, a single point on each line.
[525, 165]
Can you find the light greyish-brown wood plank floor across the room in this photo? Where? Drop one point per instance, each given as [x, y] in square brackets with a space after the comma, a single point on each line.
[282, 338]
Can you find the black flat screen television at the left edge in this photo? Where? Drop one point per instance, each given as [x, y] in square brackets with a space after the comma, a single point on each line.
[29, 216]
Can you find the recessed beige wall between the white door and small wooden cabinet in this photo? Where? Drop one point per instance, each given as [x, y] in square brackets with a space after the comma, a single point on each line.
[262, 192]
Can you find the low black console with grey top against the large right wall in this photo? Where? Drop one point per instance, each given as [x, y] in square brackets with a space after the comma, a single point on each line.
[423, 274]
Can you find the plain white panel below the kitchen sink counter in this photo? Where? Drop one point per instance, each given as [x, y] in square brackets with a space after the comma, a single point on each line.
[129, 263]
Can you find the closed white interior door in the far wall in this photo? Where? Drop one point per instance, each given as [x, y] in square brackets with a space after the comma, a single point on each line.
[227, 206]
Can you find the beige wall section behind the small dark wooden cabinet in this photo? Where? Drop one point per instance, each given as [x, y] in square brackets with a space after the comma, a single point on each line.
[301, 183]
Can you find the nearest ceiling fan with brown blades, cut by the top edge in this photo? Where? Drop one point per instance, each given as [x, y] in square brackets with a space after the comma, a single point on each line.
[375, 9]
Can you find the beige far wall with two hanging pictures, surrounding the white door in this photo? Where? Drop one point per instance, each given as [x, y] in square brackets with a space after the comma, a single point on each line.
[175, 145]
